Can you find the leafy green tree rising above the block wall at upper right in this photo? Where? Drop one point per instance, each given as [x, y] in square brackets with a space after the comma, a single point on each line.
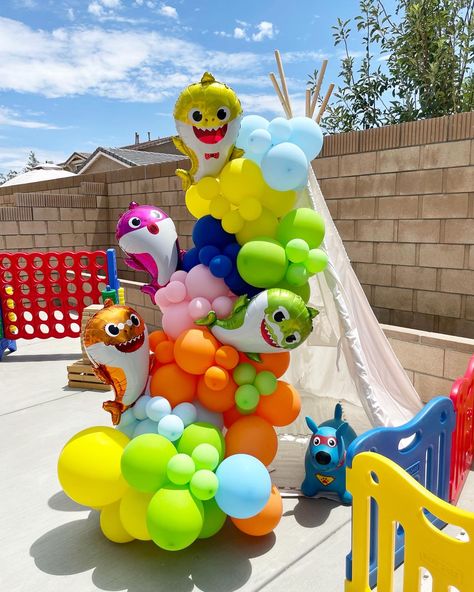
[415, 64]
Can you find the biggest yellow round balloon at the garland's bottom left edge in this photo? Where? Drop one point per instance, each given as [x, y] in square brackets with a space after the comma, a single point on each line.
[89, 466]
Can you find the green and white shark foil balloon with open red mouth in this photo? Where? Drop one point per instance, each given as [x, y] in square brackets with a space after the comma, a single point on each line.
[273, 320]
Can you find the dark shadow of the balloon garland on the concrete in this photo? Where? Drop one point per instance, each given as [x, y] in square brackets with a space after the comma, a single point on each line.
[219, 564]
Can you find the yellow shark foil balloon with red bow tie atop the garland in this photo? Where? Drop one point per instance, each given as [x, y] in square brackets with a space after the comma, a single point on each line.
[207, 116]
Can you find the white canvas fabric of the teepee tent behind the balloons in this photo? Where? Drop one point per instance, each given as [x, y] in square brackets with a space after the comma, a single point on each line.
[347, 358]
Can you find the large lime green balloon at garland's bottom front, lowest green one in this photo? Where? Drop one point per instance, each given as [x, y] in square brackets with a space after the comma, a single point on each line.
[174, 518]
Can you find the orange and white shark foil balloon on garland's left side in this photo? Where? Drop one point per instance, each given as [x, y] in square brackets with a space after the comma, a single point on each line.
[116, 342]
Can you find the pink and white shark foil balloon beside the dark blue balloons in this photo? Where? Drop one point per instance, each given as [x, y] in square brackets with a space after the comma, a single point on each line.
[148, 237]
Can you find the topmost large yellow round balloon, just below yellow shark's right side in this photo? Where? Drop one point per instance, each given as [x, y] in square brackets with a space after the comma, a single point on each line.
[241, 178]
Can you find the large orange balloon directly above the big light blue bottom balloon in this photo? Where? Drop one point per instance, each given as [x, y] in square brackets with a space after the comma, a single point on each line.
[252, 435]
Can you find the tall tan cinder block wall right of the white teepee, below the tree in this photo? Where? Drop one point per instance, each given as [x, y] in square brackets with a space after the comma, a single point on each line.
[402, 198]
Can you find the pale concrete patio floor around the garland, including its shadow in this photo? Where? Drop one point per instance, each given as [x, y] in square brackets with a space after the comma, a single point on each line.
[51, 544]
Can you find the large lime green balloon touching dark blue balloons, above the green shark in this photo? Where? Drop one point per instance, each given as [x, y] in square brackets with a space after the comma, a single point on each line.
[262, 262]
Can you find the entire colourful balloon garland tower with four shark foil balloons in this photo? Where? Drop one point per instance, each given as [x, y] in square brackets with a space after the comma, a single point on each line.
[192, 447]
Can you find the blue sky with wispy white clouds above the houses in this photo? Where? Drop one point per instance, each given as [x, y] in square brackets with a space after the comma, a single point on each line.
[77, 74]
